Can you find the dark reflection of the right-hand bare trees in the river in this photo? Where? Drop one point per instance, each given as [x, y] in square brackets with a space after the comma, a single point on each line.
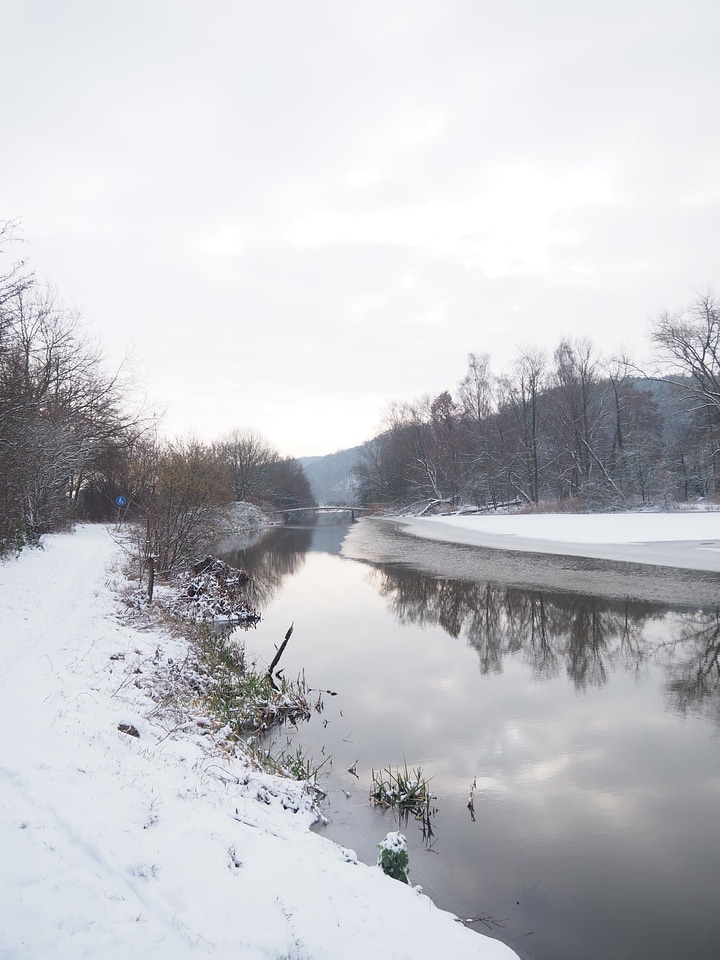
[587, 636]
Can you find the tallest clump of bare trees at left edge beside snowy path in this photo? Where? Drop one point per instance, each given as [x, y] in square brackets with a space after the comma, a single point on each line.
[58, 411]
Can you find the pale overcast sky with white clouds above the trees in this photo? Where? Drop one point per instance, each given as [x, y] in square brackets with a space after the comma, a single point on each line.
[296, 211]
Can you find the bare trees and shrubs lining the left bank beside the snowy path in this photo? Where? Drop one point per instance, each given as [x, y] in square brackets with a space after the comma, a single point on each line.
[71, 441]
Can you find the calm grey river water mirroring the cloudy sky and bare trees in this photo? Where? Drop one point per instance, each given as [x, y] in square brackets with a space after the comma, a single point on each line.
[588, 720]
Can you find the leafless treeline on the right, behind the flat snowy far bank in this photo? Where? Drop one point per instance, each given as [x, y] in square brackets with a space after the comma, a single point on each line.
[571, 428]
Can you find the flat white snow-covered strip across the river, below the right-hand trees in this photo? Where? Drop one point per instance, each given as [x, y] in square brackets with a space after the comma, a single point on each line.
[687, 540]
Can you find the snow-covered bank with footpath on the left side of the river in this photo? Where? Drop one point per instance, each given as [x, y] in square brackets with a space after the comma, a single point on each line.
[122, 846]
